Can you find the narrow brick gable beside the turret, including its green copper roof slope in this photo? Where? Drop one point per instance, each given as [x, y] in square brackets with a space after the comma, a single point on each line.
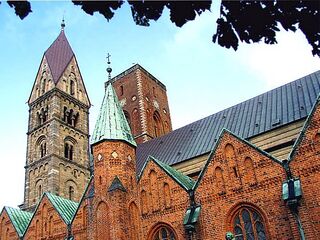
[162, 189]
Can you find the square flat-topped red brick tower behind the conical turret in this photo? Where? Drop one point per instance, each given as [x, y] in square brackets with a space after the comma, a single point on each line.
[144, 102]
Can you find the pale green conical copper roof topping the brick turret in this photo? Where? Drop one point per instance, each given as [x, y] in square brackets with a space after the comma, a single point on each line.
[112, 123]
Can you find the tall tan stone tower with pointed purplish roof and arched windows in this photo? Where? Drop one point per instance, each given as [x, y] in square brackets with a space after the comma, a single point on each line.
[58, 130]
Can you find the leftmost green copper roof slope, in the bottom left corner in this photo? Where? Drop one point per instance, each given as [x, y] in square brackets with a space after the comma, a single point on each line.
[20, 219]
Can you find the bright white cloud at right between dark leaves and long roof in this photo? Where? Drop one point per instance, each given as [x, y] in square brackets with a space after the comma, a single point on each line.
[280, 63]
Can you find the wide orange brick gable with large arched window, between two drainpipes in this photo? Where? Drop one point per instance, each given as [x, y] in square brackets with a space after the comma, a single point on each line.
[241, 183]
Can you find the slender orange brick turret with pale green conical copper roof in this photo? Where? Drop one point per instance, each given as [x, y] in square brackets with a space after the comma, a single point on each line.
[115, 184]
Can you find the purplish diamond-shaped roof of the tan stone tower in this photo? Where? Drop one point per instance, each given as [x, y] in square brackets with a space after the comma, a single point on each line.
[58, 56]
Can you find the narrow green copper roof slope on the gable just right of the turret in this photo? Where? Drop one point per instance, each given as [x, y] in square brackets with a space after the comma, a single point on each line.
[186, 182]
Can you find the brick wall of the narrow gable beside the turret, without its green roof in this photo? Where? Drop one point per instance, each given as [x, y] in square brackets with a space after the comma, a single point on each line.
[160, 206]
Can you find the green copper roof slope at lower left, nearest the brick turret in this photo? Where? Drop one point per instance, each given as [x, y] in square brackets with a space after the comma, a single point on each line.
[64, 207]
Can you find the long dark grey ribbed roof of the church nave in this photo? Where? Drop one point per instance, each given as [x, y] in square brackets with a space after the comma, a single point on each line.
[278, 107]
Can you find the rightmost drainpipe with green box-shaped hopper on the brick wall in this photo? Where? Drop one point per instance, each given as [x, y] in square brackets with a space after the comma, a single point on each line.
[291, 194]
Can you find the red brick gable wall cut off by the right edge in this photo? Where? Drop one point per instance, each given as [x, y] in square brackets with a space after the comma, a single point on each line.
[305, 164]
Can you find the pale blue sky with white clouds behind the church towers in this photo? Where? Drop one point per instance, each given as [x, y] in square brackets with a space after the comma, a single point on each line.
[201, 77]
